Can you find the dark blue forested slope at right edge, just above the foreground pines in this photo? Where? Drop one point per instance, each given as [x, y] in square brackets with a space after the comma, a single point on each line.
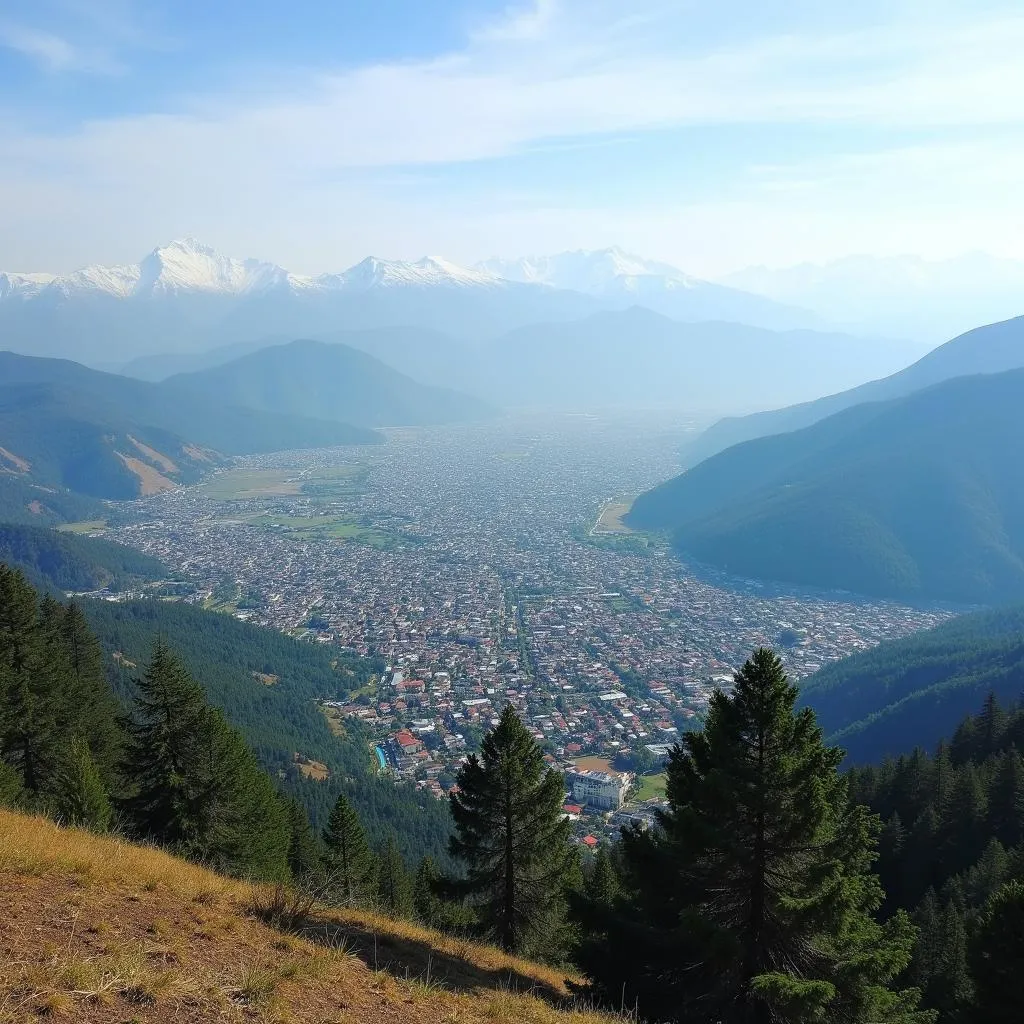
[912, 693]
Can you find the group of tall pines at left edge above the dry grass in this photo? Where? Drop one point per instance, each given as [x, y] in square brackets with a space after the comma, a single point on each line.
[169, 770]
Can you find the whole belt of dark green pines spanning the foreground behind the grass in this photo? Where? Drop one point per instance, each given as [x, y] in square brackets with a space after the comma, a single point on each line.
[775, 889]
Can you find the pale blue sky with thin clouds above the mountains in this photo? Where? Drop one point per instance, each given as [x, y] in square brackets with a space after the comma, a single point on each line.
[713, 136]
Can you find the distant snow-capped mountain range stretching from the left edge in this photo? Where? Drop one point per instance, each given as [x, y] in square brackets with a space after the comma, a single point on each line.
[187, 297]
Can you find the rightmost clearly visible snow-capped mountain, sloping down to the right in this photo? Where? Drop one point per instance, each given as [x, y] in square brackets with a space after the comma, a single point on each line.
[622, 279]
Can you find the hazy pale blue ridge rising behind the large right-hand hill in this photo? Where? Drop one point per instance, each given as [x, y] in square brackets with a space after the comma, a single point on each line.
[989, 350]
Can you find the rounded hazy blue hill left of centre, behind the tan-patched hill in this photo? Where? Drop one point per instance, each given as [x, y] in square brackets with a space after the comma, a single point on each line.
[329, 382]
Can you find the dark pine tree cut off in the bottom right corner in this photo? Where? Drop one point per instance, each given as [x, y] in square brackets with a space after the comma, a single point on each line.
[997, 952]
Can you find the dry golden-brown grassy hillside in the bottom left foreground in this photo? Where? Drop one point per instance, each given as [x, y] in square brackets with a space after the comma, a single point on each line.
[99, 931]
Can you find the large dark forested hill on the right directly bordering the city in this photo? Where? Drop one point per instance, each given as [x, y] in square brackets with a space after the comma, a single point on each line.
[916, 498]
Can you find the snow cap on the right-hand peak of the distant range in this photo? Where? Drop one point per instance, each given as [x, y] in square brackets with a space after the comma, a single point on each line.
[595, 272]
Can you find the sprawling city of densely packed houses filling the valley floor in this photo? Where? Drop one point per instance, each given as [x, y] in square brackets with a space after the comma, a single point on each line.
[488, 565]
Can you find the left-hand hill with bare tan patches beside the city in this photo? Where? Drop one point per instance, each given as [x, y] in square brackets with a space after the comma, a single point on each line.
[69, 429]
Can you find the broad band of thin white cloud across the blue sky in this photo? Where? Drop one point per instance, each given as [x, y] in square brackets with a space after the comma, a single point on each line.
[301, 167]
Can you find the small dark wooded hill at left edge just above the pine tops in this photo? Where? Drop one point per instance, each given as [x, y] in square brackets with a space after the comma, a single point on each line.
[65, 563]
